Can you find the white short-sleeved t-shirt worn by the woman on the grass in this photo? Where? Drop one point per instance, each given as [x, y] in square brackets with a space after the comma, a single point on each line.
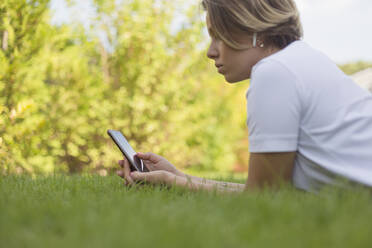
[299, 100]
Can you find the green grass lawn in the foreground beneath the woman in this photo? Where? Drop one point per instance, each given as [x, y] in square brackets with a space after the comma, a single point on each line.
[93, 211]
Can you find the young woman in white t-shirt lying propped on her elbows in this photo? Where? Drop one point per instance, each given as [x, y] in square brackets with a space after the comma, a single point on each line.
[309, 124]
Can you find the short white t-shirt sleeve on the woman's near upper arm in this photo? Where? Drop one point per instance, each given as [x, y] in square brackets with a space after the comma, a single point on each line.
[273, 109]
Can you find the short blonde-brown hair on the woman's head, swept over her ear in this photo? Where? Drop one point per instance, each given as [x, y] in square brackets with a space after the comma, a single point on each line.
[277, 22]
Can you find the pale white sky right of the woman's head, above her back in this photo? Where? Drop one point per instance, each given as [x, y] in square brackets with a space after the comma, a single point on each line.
[339, 28]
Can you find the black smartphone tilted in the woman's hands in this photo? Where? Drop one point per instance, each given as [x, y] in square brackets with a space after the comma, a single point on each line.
[135, 162]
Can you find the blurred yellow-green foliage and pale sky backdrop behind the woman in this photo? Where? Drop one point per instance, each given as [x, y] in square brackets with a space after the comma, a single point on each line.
[70, 70]
